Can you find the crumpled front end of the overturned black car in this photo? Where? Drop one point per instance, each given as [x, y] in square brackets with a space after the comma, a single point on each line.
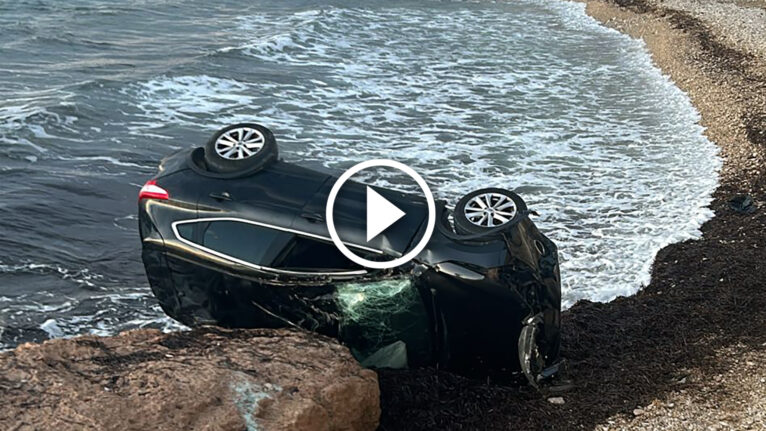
[496, 315]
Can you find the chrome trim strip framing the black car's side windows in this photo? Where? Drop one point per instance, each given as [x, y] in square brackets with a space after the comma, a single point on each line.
[175, 224]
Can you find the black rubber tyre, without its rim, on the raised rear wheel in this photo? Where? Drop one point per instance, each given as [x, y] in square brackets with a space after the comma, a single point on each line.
[267, 154]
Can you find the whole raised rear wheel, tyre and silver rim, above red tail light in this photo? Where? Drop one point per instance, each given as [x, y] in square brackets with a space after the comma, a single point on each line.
[240, 147]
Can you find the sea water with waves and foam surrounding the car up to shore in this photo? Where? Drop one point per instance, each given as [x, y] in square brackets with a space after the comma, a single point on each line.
[531, 95]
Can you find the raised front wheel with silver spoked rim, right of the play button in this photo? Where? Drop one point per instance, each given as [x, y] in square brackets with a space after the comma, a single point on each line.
[486, 210]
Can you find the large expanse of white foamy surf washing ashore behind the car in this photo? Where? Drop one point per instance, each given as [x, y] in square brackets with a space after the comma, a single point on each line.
[532, 95]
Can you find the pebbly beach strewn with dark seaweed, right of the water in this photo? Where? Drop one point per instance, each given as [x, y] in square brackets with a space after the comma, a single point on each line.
[689, 350]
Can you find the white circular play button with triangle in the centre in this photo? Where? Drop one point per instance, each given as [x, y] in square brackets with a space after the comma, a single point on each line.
[381, 214]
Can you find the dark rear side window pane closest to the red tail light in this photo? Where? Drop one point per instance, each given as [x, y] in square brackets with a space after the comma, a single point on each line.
[244, 241]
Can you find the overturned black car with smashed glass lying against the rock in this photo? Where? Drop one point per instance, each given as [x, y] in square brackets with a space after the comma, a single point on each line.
[234, 237]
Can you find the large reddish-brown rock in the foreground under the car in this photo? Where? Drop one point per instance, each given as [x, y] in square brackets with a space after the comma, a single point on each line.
[204, 379]
